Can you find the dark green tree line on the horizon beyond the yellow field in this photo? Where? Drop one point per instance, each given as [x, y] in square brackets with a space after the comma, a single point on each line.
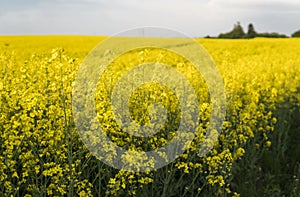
[237, 32]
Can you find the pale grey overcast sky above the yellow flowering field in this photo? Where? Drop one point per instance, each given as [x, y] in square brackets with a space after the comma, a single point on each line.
[195, 18]
